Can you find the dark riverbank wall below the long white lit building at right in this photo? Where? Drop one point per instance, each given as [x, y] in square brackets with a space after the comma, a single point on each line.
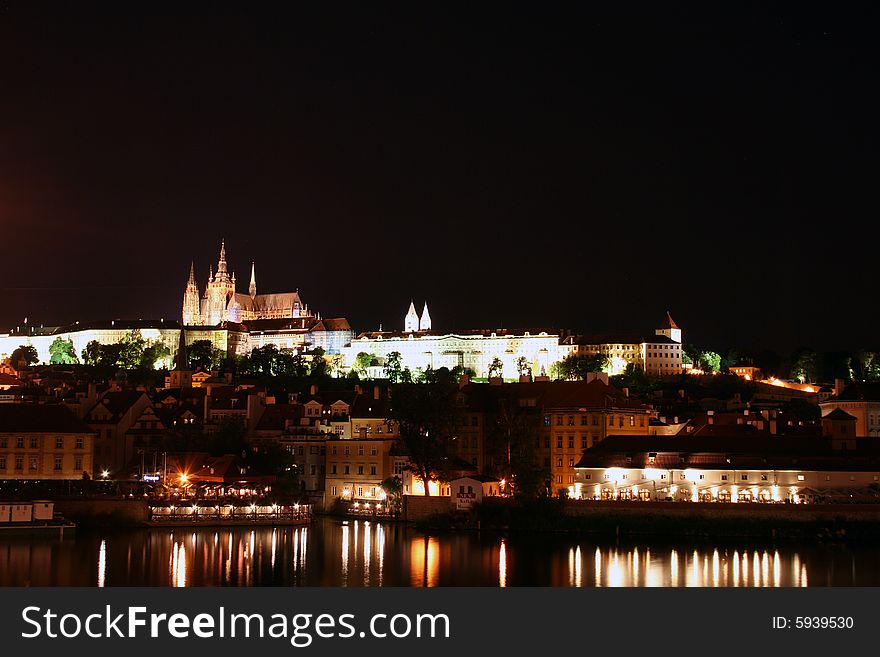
[673, 519]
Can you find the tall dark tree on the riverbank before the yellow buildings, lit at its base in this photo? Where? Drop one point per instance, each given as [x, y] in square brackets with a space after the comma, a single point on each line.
[427, 416]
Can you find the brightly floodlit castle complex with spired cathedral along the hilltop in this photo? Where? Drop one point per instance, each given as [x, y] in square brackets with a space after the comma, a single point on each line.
[238, 322]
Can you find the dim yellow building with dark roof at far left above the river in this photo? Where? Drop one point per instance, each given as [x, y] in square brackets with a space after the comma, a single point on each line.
[43, 441]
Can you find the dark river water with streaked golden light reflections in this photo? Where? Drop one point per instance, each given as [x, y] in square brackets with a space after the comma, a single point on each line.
[333, 552]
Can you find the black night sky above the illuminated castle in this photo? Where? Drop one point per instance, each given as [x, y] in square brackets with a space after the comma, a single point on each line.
[581, 167]
